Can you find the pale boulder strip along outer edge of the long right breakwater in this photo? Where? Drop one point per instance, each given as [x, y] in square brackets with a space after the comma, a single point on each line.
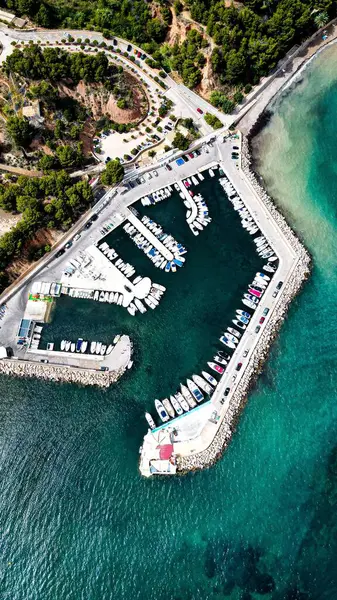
[292, 287]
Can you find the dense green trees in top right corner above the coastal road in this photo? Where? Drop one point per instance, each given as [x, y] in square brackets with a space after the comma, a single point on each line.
[252, 39]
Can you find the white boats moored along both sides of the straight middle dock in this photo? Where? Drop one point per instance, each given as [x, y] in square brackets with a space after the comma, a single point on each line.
[176, 249]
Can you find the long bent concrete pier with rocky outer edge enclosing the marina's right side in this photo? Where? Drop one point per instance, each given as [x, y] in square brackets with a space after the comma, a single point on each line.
[205, 445]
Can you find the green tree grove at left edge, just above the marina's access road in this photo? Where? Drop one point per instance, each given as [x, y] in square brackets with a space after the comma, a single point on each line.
[50, 201]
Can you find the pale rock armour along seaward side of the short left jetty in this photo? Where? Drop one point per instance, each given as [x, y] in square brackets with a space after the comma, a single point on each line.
[59, 373]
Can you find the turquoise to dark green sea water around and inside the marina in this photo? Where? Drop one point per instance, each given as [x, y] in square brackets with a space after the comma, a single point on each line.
[78, 522]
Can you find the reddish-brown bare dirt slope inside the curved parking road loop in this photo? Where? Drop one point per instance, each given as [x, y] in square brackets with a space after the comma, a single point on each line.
[101, 102]
